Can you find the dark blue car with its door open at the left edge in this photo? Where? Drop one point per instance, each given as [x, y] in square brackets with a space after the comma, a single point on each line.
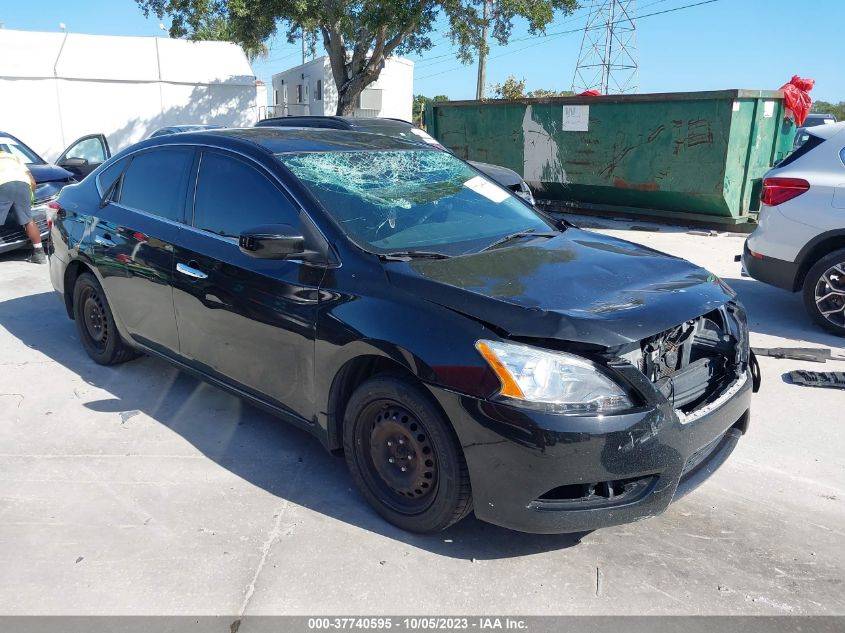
[78, 160]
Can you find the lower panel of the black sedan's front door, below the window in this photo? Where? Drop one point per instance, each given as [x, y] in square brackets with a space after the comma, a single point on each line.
[247, 320]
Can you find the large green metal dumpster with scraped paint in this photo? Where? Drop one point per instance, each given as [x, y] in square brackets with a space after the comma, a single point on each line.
[693, 155]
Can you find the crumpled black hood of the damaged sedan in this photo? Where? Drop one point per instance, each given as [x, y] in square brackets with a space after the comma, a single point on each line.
[579, 286]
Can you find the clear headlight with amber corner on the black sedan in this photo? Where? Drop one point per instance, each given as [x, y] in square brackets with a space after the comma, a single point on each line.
[560, 382]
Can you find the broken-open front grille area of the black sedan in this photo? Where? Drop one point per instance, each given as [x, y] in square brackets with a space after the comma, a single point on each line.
[694, 362]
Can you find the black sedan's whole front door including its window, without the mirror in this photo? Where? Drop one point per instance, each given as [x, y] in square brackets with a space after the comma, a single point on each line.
[248, 321]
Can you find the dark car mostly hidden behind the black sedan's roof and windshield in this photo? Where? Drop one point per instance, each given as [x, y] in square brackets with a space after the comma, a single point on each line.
[398, 128]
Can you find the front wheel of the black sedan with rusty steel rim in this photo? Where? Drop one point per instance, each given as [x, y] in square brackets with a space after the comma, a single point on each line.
[391, 418]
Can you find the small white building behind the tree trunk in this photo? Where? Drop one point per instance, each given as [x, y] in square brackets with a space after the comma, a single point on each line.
[310, 89]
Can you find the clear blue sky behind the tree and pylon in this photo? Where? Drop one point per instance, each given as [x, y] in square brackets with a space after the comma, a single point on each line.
[756, 44]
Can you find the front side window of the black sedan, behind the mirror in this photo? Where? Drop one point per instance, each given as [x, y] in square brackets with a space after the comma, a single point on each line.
[233, 197]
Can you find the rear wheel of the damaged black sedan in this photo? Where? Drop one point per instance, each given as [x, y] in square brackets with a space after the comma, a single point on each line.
[95, 323]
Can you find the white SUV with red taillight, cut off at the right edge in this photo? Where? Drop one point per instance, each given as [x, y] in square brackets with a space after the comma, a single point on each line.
[800, 243]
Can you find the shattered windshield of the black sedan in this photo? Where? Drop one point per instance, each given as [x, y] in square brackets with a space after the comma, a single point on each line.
[403, 200]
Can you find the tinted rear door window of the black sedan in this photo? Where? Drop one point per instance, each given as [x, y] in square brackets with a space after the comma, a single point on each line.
[156, 182]
